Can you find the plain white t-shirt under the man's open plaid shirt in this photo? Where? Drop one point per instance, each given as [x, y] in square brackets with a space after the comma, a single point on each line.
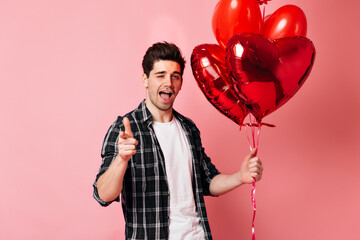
[184, 221]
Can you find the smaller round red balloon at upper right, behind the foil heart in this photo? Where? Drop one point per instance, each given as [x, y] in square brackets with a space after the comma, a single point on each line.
[287, 21]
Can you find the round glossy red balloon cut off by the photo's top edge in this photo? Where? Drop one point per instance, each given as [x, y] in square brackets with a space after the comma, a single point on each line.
[235, 16]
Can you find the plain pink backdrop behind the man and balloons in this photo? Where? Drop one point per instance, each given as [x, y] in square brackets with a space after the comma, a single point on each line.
[68, 68]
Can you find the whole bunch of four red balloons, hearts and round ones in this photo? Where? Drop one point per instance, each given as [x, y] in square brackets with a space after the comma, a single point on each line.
[260, 62]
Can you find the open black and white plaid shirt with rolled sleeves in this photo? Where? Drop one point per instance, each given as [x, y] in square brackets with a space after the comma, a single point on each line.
[145, 194]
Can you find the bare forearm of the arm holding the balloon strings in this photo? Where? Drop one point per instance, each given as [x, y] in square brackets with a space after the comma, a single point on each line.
[224, 183]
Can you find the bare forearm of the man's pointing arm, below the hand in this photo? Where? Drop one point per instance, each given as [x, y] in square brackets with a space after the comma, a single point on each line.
[109, 184]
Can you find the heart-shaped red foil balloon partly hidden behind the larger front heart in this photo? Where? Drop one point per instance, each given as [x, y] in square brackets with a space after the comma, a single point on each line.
[208, 66]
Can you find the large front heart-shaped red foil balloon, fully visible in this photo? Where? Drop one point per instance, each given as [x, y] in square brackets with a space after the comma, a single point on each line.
[267, 73]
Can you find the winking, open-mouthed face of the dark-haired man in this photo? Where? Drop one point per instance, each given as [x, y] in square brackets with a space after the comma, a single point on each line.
[163, 84]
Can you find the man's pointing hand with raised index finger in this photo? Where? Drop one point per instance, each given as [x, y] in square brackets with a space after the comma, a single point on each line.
[127, 143]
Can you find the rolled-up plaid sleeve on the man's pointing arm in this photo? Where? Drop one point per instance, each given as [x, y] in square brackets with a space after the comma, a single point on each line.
[109, 152]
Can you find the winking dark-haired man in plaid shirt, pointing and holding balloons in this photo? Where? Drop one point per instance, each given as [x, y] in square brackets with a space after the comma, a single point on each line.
[154, 159]
